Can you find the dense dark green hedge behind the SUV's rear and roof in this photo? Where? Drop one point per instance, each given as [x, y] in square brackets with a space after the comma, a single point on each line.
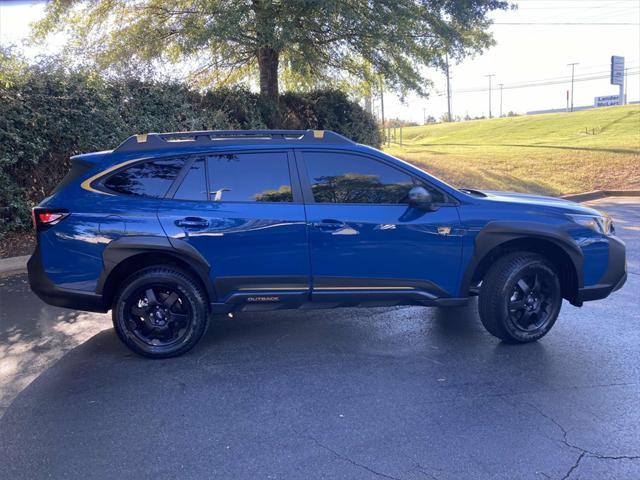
[48, 114]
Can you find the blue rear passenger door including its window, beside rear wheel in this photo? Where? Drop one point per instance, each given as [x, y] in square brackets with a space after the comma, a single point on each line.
[243, 212]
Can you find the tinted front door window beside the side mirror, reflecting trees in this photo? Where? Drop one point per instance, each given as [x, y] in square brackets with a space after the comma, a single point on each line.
[345, 178]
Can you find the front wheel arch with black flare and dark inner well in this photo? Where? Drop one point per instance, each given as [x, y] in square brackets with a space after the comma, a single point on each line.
[499, 238]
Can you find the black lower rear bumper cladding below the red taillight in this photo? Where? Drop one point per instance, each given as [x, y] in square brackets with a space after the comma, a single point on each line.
[49, 293]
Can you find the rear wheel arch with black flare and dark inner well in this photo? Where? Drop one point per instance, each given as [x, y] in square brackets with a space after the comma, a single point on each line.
[127, 255]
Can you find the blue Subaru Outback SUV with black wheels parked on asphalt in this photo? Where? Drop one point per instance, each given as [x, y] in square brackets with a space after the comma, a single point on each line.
[168, 229]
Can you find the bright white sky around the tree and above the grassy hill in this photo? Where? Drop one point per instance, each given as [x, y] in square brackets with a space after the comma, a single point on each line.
[534, 44]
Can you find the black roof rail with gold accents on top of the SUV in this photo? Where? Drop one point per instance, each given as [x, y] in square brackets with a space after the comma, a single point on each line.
[209, 138]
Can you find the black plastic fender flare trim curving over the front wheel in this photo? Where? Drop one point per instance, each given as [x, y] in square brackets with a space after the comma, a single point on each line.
[497, 233]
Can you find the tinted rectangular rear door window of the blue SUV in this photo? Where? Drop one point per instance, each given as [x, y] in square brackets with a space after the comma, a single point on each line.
[249, 177]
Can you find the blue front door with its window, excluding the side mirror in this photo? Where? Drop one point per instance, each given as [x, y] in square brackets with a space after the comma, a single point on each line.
[363, 235]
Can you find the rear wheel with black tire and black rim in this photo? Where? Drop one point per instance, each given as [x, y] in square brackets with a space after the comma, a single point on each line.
[160, 312]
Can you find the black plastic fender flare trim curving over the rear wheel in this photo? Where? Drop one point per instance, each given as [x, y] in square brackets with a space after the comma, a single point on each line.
[126, 247]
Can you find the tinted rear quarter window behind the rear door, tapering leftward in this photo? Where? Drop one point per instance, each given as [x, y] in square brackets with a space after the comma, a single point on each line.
[151, 179]
